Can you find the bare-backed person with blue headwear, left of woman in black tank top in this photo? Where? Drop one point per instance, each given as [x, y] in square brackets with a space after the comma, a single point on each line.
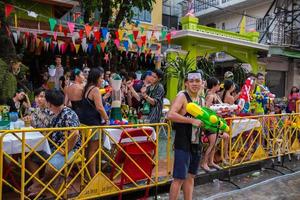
[73, 93]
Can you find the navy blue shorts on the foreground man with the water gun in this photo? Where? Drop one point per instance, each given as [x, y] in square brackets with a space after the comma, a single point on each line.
[184, 163]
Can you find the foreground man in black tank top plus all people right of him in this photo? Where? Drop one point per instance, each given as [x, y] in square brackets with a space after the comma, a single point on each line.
[187, 152]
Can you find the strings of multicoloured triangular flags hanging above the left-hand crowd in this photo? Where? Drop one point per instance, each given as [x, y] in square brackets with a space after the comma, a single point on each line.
[93, 37]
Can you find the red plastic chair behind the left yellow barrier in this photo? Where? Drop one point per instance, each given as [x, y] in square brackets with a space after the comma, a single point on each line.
[134, 151]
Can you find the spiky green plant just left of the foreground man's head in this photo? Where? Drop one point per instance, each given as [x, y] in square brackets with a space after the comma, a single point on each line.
[179, 67]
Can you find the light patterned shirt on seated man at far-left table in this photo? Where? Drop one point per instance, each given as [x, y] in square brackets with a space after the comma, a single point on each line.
[41, 118]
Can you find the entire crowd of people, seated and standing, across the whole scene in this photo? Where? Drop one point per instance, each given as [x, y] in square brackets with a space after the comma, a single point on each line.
[71, 98]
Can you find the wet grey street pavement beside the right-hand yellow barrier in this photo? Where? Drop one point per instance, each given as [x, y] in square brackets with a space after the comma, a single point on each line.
[278, 183]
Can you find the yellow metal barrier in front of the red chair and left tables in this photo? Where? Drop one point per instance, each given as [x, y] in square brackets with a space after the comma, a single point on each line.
[110, 160]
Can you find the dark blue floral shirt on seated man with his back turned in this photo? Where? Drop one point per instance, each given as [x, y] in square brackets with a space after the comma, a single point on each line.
[66, 118]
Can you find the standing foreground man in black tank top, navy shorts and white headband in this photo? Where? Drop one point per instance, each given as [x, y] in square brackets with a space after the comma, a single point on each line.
[187, 149]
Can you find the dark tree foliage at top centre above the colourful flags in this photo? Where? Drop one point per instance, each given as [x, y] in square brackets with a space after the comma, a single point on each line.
[113, 12]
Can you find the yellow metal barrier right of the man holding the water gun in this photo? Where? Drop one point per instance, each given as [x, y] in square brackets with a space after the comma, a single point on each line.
[256, 138]
